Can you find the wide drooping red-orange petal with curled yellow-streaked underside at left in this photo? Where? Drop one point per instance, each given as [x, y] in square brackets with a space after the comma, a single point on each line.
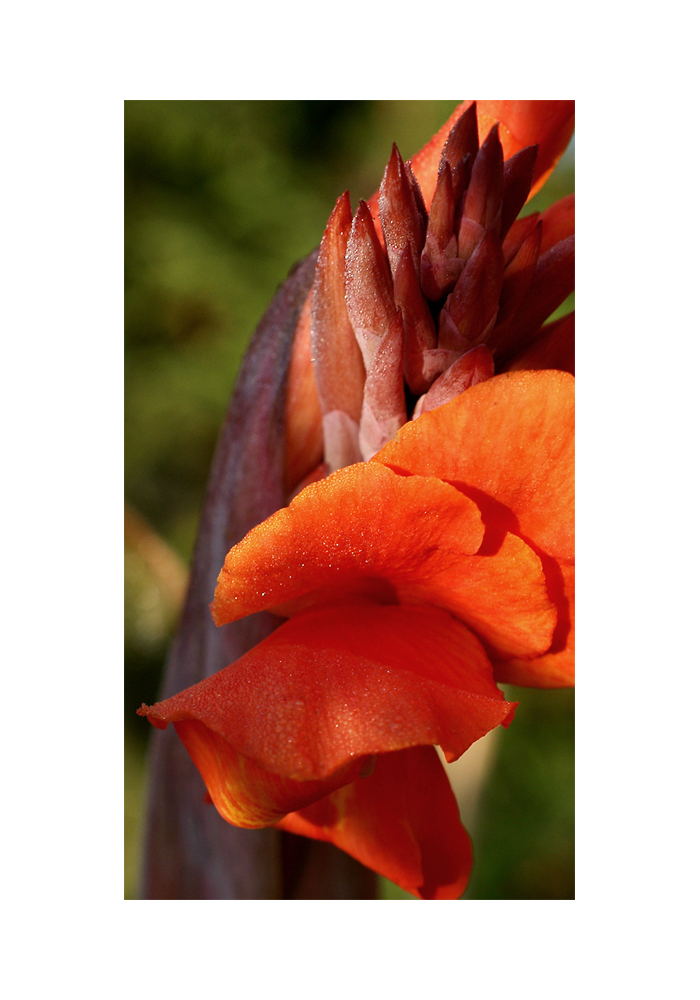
[300, 714]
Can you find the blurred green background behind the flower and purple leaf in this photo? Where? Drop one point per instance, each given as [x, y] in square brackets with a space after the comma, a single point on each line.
[221, 199]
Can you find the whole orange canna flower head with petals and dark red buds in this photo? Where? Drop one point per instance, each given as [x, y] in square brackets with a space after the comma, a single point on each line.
[430, 555]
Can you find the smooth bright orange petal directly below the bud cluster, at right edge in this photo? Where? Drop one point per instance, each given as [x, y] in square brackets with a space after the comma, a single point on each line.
[508, 440]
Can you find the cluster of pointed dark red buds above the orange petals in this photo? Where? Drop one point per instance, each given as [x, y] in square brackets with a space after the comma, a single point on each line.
[414, 307]
